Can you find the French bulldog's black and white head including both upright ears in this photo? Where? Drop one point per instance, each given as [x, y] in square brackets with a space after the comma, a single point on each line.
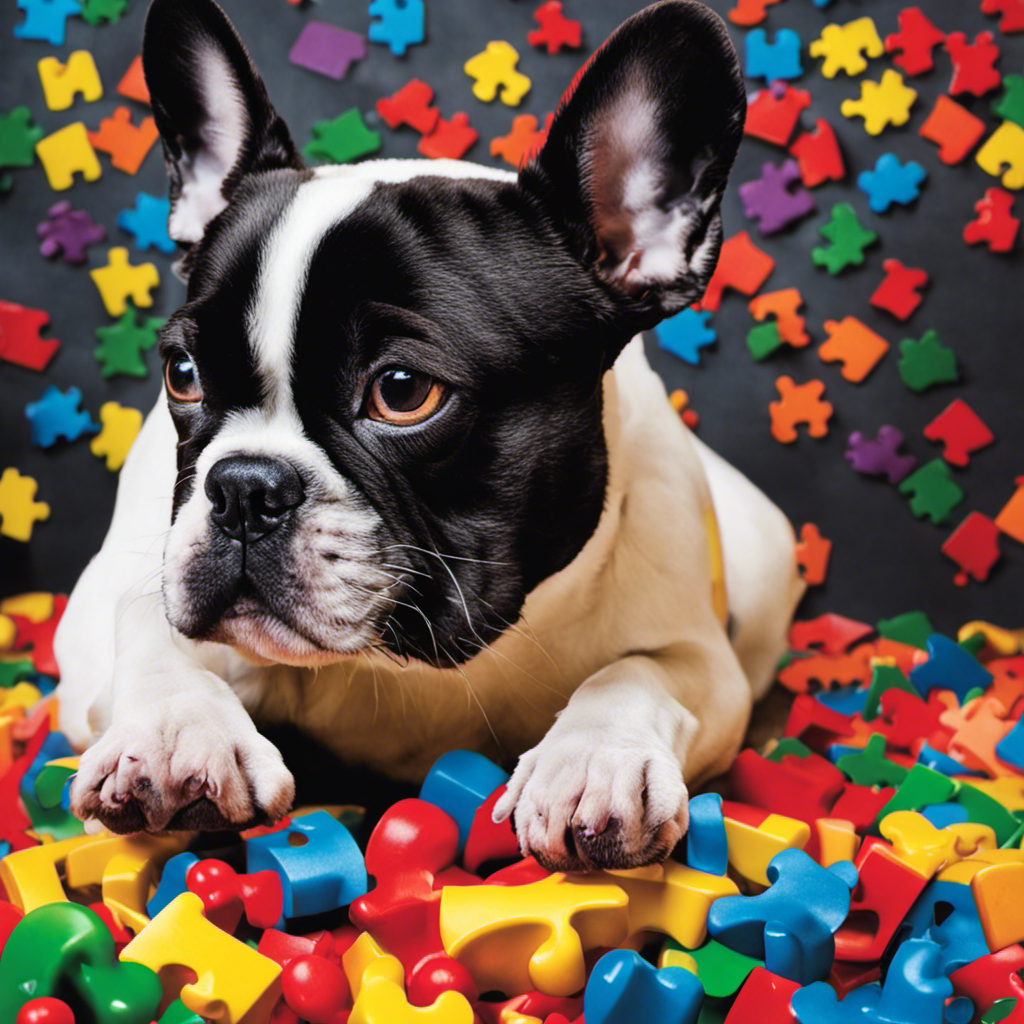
[387, 379]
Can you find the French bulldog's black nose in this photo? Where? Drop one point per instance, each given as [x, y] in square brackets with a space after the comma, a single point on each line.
[252, 495]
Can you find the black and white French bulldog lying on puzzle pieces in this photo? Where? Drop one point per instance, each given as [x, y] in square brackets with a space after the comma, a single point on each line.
[423, 491]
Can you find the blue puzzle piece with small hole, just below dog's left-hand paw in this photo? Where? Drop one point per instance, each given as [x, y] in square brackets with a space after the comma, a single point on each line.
[325, 873]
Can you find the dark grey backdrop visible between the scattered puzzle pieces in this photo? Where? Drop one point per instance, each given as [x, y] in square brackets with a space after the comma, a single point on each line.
[884, 561]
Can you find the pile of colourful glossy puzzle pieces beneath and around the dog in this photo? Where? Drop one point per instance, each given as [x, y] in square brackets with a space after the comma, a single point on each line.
[868, 867]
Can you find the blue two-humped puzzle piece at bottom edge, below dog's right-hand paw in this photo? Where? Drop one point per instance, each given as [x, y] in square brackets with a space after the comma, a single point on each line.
[624, 989]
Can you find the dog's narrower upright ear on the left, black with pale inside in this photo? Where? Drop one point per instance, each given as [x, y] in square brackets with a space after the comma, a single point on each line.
[212, 110]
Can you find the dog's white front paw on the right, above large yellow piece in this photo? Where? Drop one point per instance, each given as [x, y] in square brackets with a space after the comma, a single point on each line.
[596, 799]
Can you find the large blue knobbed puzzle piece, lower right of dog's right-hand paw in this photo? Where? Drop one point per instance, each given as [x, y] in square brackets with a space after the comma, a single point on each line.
[792, 925]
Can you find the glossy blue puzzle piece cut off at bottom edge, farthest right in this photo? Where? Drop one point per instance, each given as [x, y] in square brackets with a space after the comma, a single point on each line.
[916, 991]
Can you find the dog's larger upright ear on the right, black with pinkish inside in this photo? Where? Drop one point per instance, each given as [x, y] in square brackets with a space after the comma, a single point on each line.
[639, 154]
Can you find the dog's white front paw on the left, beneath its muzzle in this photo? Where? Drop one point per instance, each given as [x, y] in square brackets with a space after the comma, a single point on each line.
[183, 763]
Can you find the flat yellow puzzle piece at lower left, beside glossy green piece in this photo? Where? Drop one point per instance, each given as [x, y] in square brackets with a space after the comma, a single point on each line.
[234, 984]
